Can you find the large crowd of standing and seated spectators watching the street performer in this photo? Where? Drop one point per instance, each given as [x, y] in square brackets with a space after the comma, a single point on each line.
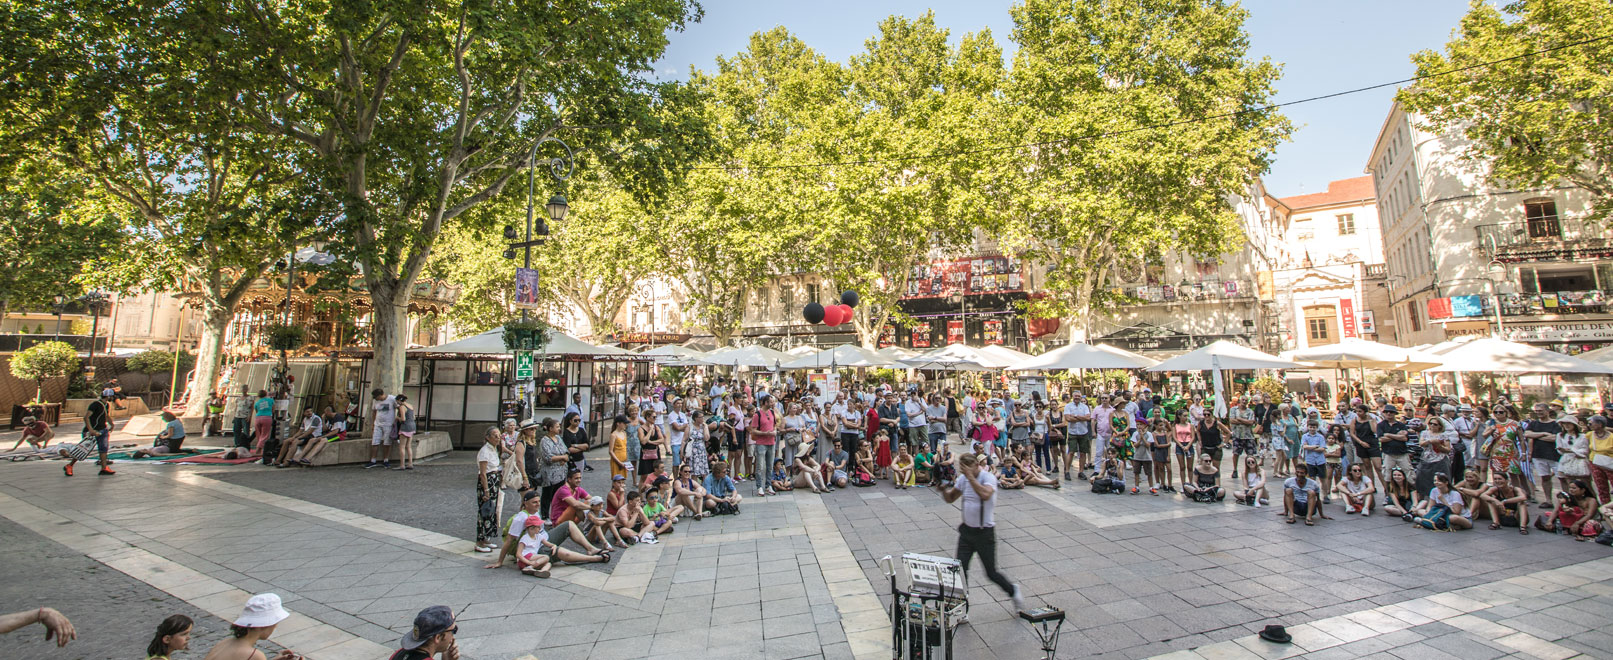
[1441, 466]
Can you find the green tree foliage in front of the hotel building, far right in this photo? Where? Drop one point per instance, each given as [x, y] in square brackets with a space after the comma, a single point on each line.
[1541, 119]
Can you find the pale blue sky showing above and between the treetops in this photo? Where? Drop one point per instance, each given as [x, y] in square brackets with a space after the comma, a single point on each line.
[1323, 46]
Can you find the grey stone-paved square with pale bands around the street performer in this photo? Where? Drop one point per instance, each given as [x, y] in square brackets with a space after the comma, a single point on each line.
[796, 575]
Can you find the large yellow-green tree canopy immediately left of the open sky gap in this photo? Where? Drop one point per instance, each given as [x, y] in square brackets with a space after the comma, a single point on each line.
[1102, 185]
